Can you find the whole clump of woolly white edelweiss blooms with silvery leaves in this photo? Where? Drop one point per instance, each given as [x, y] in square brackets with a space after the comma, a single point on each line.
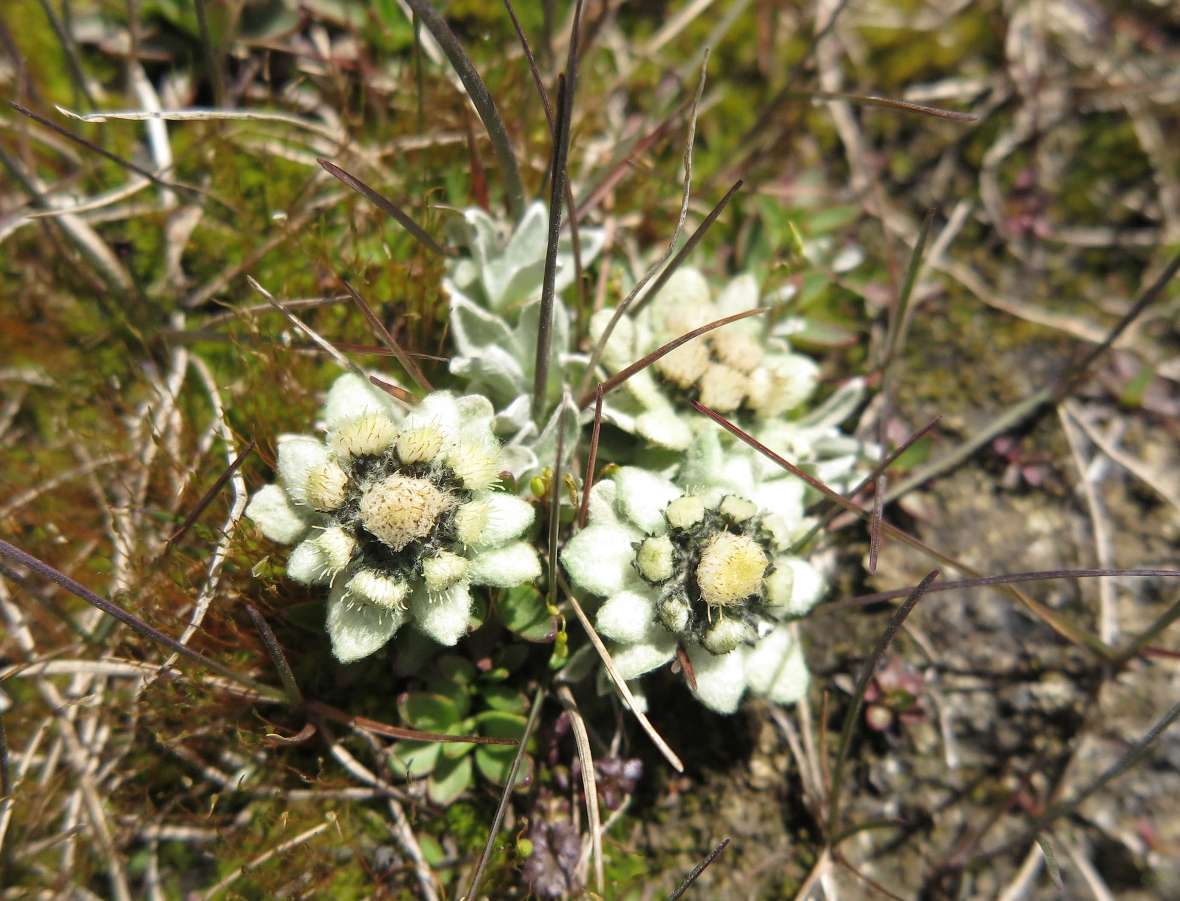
[397, 511]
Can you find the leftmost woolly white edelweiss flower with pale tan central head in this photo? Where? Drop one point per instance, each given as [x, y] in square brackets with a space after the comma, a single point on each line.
[397, 514]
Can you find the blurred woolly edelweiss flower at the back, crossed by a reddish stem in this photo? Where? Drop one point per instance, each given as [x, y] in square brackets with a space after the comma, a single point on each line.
[737, 370]
